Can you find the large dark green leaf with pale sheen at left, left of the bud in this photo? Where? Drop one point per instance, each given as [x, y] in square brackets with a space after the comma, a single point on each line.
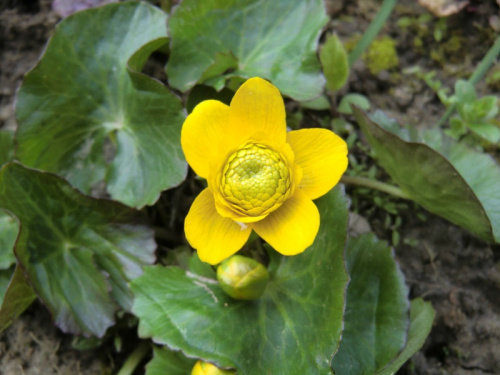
[79, 253]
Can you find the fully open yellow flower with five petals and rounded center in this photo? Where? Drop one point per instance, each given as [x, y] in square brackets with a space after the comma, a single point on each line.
[259, 176]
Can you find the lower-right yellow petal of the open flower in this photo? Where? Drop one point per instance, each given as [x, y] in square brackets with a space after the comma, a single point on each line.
[291, 228]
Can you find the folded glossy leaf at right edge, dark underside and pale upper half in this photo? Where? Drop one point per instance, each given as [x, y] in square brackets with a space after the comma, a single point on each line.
[445, 177]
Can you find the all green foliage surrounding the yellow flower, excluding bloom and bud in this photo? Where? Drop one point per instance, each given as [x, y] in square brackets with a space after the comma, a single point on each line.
[88, 114]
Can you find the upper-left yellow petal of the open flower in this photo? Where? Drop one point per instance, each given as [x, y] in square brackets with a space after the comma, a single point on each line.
[204, 136]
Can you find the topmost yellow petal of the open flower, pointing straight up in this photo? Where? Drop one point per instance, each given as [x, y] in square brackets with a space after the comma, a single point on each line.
[258, 111]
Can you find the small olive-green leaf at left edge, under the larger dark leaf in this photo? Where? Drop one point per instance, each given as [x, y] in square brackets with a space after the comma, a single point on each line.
[18, 296]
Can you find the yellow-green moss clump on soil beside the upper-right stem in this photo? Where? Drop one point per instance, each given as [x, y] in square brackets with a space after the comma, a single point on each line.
[381, 55]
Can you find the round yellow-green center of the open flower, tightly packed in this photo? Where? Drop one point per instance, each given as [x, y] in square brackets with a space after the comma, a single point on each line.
[256, 180]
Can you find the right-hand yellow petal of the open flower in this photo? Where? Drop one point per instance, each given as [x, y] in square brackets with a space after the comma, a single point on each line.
[323, 158]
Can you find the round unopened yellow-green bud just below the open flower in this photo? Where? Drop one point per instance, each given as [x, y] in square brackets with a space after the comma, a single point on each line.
[242, 278]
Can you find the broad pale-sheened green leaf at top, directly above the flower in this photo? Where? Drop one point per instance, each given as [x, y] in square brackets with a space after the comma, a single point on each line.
[276, 40]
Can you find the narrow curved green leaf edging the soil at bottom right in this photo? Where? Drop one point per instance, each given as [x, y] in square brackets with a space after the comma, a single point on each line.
[421, 317]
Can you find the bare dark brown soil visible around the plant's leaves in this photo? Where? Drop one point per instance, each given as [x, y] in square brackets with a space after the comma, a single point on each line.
[458, 273]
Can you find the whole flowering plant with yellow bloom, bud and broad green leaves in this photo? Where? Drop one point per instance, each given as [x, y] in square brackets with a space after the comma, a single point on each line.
[94, 181]
